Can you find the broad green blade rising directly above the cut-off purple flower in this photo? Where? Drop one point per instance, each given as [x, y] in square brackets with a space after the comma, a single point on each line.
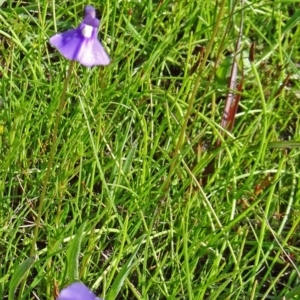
[73, 254]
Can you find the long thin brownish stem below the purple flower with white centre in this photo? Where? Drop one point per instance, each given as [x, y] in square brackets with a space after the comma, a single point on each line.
[50, 160]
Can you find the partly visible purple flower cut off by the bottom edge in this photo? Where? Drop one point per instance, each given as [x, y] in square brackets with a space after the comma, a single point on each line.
[77, 291]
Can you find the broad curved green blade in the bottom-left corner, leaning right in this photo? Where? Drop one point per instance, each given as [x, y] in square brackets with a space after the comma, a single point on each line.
[18, 275]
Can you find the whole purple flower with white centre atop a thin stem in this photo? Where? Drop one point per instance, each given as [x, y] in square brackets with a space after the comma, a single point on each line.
[82, 44]
